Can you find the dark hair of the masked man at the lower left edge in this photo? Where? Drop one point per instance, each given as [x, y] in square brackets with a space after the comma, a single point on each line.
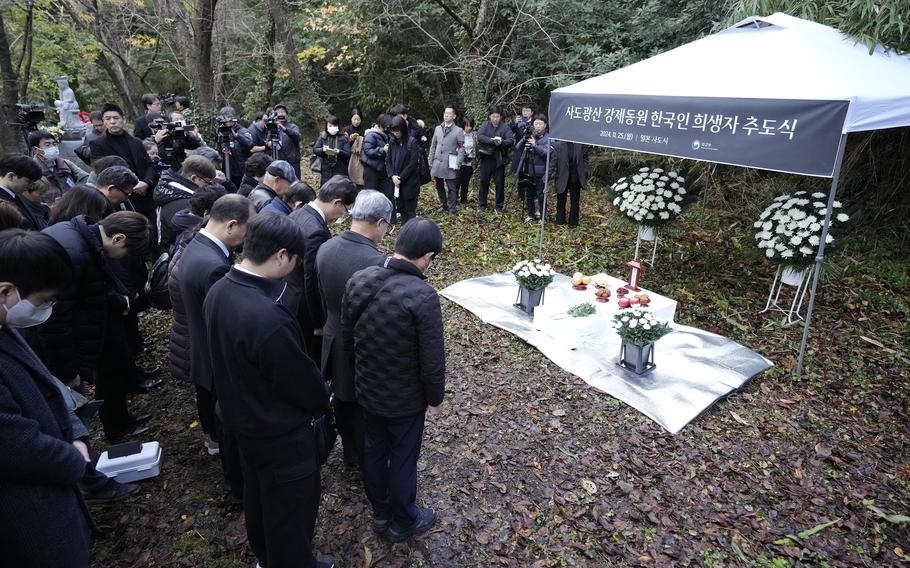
[33, 261]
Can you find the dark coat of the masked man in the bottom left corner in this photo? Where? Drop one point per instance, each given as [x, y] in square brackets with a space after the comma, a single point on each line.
[43, 519]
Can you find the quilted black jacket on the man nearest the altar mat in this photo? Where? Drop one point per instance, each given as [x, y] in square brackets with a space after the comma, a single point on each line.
[392, 322]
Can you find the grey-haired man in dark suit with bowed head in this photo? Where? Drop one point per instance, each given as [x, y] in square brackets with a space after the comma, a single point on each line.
[336, 261]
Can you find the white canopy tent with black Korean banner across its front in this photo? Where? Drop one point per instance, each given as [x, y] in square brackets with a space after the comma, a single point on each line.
[777, 93]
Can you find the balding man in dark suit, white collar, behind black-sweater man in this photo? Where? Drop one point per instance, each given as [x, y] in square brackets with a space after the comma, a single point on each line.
[205, 261]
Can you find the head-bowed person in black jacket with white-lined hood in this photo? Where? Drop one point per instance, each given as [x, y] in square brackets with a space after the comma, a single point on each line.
[174, 191]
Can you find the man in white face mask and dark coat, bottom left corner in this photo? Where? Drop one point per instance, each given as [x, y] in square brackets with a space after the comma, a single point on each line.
[43, 520]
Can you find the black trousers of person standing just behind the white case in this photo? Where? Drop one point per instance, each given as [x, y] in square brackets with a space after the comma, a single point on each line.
[111, 384]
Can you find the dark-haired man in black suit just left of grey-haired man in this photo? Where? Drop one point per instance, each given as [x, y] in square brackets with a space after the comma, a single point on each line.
[304, 298]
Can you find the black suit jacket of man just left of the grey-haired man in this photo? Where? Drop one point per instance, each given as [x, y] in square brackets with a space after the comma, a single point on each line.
[305, 275]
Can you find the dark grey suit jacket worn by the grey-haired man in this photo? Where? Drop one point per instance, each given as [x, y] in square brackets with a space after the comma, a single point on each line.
[337, 260]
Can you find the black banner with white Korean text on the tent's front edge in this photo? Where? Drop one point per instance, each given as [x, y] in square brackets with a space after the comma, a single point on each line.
[795, 136]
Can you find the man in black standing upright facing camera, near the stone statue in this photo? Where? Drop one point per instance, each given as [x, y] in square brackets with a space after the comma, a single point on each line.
[116, 142]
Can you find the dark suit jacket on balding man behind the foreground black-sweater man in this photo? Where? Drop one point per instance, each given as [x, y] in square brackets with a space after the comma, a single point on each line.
[201, 265]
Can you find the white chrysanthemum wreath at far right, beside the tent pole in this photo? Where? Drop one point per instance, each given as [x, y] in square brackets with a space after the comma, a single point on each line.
[789, 229]
